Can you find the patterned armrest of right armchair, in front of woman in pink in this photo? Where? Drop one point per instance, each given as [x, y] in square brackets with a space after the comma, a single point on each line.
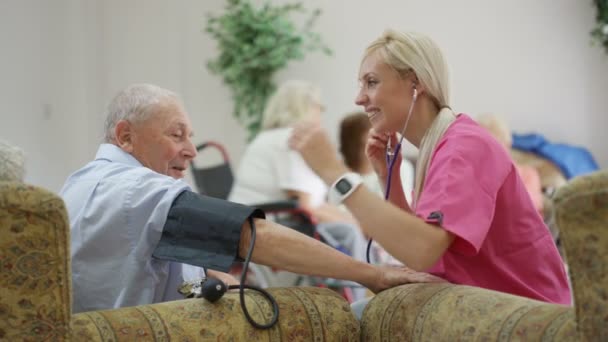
[448, 312]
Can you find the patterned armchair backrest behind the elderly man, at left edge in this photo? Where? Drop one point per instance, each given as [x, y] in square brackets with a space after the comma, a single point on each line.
[35, 281]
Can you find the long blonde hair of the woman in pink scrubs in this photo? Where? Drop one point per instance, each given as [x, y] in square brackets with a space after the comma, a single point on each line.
[408, 52]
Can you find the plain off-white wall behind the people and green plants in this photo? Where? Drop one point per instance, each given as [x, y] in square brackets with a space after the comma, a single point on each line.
[62, 60]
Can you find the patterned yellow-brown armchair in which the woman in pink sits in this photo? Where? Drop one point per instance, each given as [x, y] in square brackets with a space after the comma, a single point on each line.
[445, 312]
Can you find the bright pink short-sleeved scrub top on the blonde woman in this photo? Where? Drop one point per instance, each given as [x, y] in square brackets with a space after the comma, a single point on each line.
[473, 190]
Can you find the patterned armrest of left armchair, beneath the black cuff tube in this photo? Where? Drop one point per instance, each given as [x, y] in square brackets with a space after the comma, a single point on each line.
[306, 314]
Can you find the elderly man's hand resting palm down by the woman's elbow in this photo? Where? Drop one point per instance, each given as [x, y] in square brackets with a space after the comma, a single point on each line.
[392, 276]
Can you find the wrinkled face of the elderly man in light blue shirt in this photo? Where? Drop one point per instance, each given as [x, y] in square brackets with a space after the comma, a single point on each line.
[163, 142]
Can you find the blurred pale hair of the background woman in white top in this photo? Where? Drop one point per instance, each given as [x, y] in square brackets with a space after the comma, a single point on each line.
[290, 103]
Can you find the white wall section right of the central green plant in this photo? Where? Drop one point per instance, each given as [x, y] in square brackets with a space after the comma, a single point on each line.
[530, 61]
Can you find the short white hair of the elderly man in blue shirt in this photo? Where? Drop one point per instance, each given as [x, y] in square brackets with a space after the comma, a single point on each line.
[134, 104]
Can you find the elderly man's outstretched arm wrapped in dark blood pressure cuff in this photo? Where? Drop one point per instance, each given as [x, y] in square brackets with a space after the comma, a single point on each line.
[210, 233]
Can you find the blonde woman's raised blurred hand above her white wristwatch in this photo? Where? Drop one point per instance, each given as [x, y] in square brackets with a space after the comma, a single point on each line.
[313, 143]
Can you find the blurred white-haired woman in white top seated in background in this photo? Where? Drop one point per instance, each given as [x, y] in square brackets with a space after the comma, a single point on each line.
[270, 171]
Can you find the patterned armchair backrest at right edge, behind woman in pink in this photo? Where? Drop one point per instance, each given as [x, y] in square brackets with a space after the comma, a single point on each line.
[581, 215]
